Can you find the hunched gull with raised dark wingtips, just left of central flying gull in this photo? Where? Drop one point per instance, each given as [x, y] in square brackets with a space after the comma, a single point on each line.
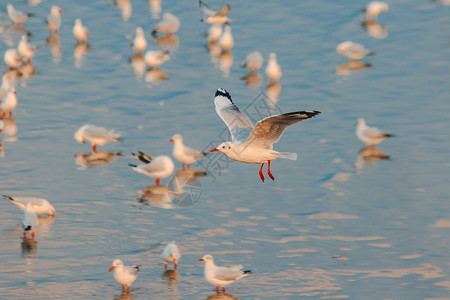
[158, 167]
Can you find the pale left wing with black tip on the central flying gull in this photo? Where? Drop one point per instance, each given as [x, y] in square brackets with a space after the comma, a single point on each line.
[238, 124]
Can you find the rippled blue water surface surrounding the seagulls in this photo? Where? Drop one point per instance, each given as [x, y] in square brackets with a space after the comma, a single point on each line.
[333, 225]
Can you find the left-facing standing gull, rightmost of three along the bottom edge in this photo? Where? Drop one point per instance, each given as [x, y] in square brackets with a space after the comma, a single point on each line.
[222, 276]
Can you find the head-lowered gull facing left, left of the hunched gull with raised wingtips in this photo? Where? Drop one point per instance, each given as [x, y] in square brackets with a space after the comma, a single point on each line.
[96, 136]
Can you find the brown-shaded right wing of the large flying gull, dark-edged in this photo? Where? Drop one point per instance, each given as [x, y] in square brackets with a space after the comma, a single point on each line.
[269, 130]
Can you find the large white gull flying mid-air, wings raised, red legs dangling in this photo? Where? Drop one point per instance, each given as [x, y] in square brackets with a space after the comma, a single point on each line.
[254, 144]
